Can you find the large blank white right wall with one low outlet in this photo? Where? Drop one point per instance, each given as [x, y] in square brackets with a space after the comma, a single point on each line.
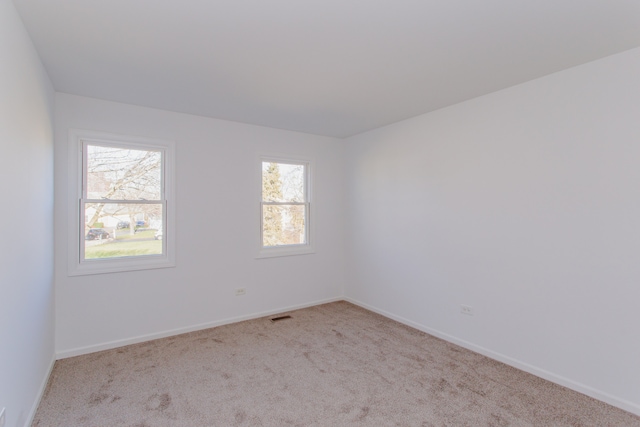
[525, 205]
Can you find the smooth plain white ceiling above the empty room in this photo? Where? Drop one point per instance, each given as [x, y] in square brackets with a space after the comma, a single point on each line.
[327, 67]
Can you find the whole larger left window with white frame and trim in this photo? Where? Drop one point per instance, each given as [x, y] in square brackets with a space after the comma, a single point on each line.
[124, 203]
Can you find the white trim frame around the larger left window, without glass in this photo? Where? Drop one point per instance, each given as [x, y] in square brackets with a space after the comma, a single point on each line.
[76, 266]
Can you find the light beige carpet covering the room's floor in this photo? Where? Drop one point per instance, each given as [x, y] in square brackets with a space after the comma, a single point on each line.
[331, 365]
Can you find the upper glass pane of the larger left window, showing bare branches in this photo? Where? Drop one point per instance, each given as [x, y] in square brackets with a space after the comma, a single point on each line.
[123, 174]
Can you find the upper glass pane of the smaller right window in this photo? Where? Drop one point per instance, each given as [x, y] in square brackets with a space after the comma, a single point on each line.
[282, 182]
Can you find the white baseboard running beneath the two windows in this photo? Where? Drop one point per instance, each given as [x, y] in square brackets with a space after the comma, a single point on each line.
[143, 338]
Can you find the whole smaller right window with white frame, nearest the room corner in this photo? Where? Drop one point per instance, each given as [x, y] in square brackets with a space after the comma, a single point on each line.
[284, 207]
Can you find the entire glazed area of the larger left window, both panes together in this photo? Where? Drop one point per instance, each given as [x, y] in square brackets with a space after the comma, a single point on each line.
[123, 202]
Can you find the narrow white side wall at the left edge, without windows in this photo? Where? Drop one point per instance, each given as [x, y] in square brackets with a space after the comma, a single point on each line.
[26, 243]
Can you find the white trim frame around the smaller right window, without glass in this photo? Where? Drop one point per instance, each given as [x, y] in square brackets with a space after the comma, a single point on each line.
[288, 250]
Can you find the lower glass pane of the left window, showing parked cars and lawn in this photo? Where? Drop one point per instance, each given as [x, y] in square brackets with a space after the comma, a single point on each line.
[114, 230]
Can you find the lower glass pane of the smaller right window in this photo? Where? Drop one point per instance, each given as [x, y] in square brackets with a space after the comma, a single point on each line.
[283, 225]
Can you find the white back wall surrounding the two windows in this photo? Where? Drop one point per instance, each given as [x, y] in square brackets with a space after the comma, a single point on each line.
[217, 187]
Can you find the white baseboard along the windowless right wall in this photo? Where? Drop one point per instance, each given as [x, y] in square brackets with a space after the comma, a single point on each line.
[626, 405]
